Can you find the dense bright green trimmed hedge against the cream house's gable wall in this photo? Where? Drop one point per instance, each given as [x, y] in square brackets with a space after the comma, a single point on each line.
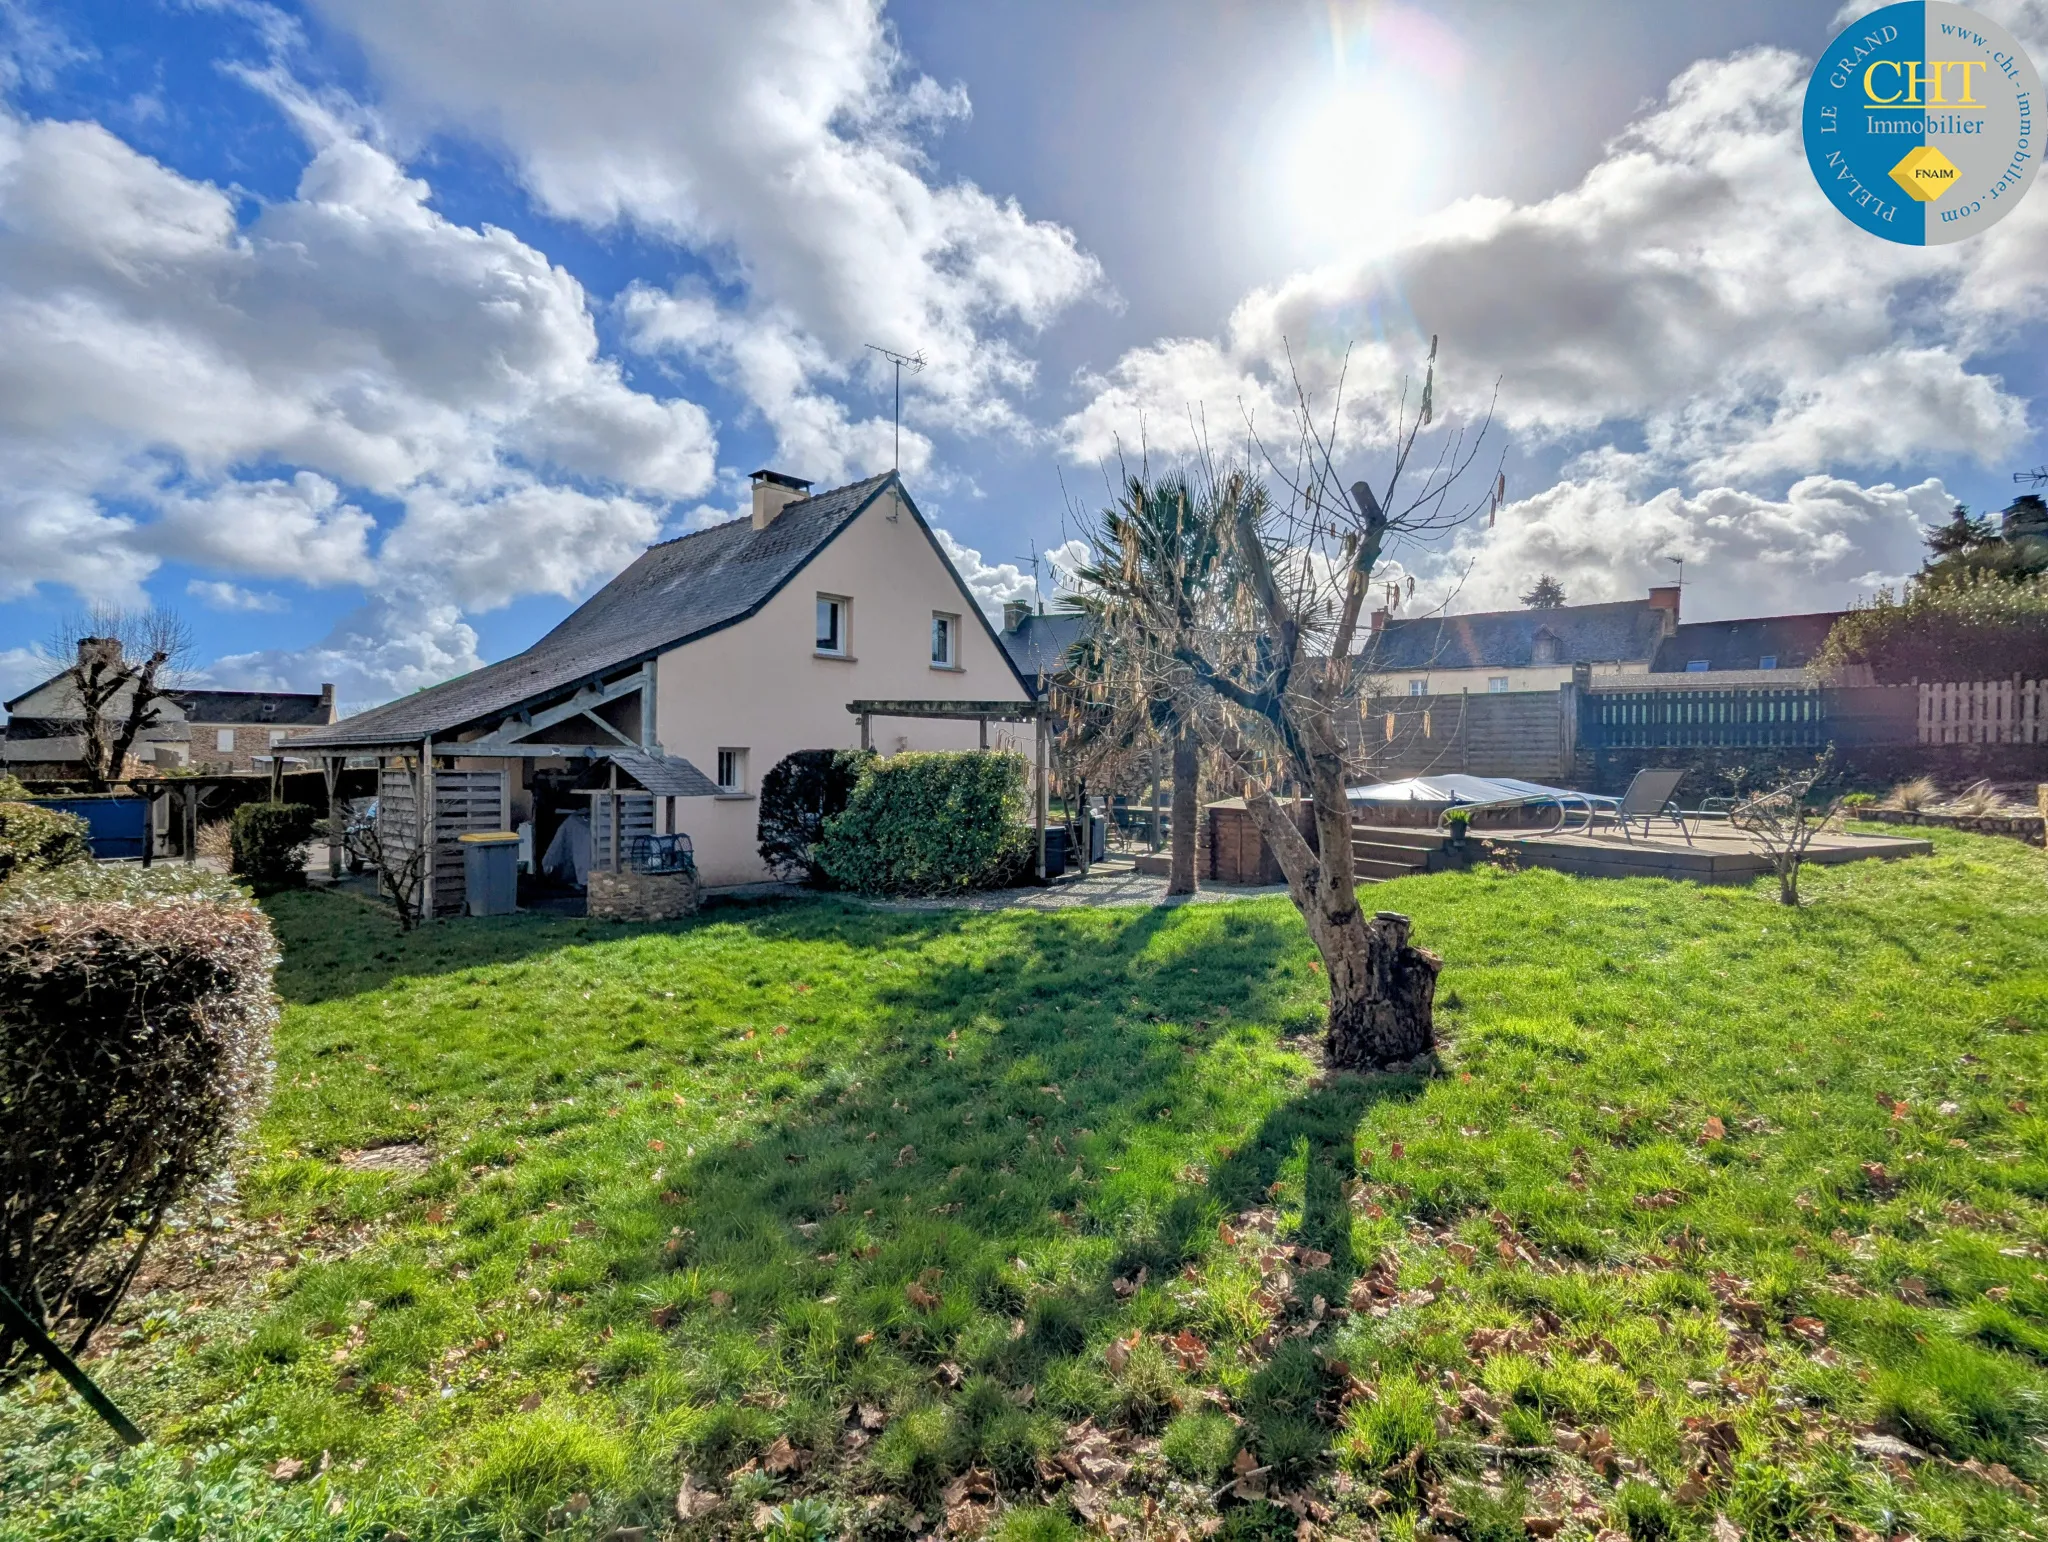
[931, 822]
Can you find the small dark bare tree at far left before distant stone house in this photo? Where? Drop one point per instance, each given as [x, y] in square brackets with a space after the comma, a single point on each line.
[120, 669]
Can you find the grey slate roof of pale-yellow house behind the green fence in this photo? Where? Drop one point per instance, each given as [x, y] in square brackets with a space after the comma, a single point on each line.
[1621, 632]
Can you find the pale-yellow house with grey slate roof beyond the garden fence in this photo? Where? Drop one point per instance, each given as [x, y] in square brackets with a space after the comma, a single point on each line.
[1519, 650]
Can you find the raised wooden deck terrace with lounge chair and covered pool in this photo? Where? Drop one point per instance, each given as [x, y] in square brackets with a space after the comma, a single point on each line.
[1717, 853]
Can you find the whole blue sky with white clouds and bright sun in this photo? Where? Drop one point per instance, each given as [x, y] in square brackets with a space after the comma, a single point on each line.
[372, 335]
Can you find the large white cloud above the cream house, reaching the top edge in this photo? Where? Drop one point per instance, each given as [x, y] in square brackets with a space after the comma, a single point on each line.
[781, 142]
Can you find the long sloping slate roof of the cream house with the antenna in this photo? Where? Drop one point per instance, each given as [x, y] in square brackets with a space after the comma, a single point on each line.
[671, 595]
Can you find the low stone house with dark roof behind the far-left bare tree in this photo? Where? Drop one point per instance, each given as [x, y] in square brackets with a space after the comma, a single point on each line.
[196, 730]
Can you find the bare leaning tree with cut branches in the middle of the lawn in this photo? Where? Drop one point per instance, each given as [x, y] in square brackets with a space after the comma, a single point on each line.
[1271, 671]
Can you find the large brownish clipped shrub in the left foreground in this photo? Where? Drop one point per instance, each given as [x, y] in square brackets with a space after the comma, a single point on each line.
[136, 1019]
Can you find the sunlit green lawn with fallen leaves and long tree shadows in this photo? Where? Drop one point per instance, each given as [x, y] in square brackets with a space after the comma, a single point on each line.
[845, 1203]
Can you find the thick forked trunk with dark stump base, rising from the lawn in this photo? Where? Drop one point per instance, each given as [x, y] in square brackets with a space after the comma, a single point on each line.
[1381, 988]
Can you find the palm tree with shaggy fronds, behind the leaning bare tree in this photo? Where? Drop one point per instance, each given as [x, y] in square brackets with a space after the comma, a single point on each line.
[1156, 558]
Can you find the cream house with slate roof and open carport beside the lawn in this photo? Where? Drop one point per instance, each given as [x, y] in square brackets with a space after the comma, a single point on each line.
[722, 654]
